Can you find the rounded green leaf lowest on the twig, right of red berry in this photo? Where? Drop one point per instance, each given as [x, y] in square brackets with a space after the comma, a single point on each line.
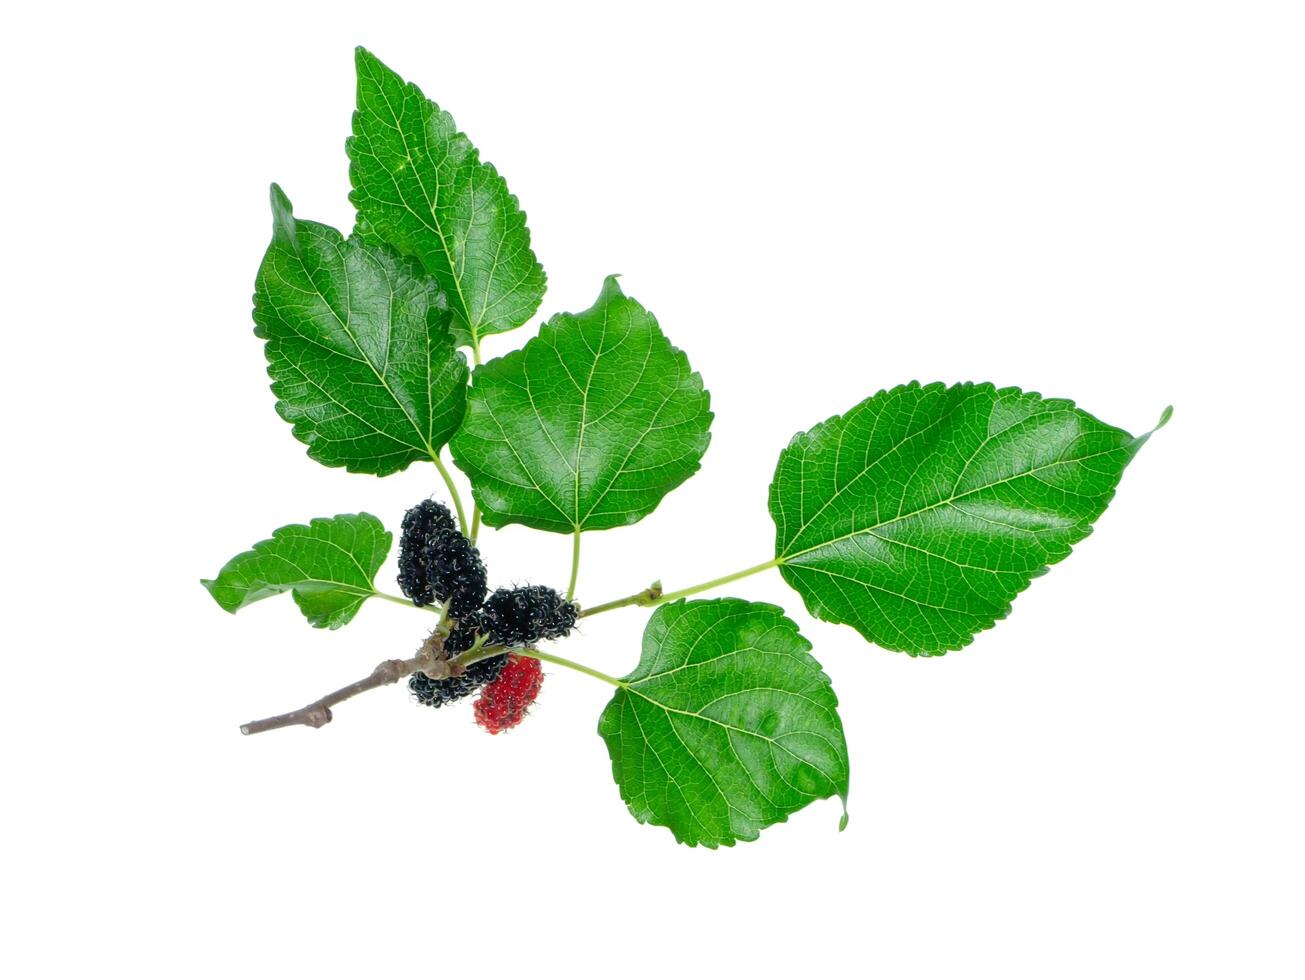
[728, 726]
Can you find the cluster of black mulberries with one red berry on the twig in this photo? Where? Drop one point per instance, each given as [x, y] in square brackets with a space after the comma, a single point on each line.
[439, 564]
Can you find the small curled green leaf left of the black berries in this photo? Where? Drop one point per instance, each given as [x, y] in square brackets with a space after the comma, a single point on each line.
[330, 566]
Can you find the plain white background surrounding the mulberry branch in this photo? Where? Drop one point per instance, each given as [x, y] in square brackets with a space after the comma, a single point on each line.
[1102, 202]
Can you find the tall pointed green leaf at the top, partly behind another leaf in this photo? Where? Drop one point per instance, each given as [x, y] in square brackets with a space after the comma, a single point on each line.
[421, 186]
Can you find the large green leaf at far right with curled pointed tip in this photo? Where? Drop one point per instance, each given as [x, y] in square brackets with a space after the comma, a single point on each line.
[921, 515]
